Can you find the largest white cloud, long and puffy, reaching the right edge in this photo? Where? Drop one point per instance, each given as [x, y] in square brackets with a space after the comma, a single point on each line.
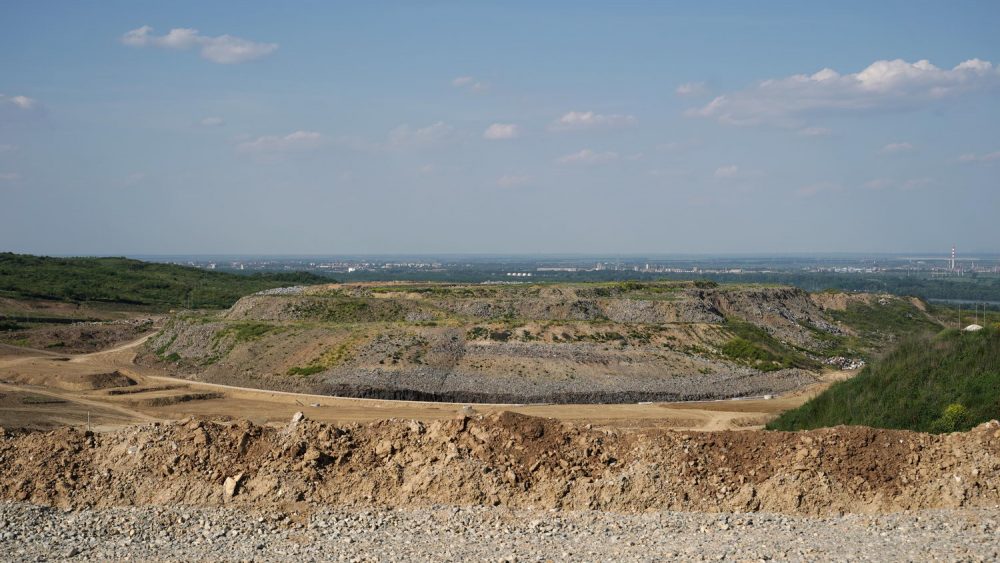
[883, 86]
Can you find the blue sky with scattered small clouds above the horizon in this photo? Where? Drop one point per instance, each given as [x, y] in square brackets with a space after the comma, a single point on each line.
[140, 127]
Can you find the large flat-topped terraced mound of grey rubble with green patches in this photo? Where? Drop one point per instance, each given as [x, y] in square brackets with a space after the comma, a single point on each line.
[526, 343]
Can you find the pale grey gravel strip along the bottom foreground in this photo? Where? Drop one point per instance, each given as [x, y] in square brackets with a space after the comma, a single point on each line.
[33, 533]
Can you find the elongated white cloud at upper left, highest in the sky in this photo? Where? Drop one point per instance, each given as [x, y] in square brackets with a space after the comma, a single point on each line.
[222, 49]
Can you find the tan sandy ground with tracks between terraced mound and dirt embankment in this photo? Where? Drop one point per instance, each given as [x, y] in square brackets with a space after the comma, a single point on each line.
[32, 395]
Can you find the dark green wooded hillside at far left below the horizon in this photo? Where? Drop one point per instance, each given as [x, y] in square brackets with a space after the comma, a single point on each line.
[125, 281]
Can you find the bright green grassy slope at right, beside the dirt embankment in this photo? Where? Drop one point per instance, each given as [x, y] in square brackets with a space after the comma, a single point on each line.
[913, 386]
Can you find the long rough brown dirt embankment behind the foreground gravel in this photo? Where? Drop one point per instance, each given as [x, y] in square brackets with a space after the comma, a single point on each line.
[504, 459]
